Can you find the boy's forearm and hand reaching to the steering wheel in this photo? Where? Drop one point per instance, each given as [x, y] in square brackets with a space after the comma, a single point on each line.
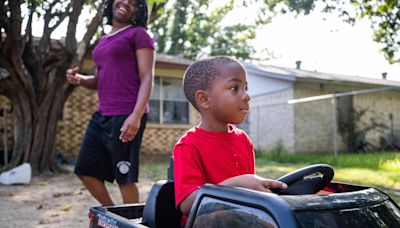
[254, 182]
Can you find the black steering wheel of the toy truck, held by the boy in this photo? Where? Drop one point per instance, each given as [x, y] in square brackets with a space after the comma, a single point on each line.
[307, 180]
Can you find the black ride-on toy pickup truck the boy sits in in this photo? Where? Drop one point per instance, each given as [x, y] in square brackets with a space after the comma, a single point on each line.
[340, 205]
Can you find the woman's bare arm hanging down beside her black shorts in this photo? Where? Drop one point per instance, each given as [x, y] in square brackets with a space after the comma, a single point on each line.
[146, 61]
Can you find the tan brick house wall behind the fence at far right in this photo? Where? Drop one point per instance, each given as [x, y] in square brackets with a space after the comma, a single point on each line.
[314, 120]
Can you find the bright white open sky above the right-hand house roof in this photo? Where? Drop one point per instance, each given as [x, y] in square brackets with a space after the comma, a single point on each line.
[325, 45]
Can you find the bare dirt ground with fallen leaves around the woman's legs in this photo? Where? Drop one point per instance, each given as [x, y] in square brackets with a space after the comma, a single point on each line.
[53, 201]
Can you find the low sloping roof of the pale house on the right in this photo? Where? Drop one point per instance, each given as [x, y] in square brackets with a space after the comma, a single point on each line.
[291, 74]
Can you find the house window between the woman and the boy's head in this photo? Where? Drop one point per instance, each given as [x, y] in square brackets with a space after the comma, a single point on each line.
[168, 104]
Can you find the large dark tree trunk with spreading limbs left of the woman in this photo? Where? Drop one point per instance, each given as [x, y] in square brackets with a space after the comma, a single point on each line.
[32, 74]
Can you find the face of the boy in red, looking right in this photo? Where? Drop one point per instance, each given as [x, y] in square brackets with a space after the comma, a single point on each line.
[228, 97]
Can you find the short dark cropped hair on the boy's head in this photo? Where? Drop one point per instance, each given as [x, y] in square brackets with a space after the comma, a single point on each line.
[200, 75]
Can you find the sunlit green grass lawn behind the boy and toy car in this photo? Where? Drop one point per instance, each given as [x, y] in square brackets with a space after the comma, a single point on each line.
[380, 170]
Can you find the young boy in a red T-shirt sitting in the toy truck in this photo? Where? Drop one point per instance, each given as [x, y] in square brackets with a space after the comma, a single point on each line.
[215, 151]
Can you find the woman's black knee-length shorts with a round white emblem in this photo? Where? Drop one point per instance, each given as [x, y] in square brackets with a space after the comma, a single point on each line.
[104, 156]
